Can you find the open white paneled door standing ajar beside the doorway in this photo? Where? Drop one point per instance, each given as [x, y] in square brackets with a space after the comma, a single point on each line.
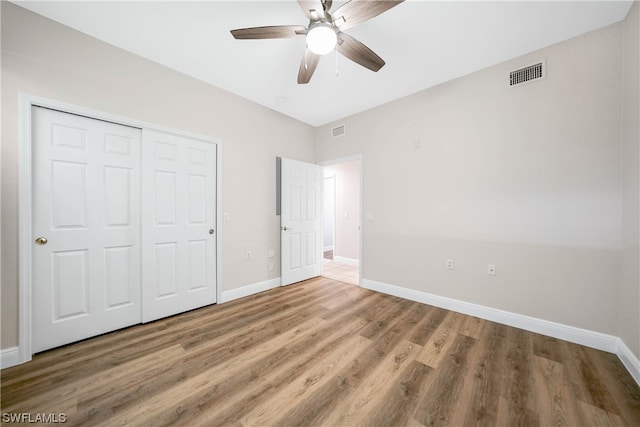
[301, 189]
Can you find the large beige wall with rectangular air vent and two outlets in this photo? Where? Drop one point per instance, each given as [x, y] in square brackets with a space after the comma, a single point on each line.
[526, 178]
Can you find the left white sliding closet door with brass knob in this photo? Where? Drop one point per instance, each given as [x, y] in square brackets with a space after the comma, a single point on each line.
[86, 220]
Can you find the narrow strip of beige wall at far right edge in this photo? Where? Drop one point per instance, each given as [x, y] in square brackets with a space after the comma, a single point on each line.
[630, 259]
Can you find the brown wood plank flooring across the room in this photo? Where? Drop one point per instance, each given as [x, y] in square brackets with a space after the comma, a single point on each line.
[324, 353]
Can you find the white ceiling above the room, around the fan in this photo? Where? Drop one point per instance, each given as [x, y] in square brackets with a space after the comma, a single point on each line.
[424, 43]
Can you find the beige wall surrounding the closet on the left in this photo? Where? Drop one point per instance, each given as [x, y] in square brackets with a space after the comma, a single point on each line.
[46, 59]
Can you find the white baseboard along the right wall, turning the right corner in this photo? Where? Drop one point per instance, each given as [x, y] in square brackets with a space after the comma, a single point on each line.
[597, 340]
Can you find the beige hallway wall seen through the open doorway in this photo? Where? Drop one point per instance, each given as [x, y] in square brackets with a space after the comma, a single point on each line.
[347, 208]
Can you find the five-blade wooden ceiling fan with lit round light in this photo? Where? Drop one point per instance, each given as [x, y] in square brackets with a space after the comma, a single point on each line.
[325, 32]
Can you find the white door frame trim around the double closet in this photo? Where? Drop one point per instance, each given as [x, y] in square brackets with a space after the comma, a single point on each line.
[25, 234]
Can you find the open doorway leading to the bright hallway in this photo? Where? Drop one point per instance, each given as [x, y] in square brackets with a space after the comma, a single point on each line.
[342, 216]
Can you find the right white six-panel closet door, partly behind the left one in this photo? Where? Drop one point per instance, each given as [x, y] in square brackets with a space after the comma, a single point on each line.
[178, 220]
